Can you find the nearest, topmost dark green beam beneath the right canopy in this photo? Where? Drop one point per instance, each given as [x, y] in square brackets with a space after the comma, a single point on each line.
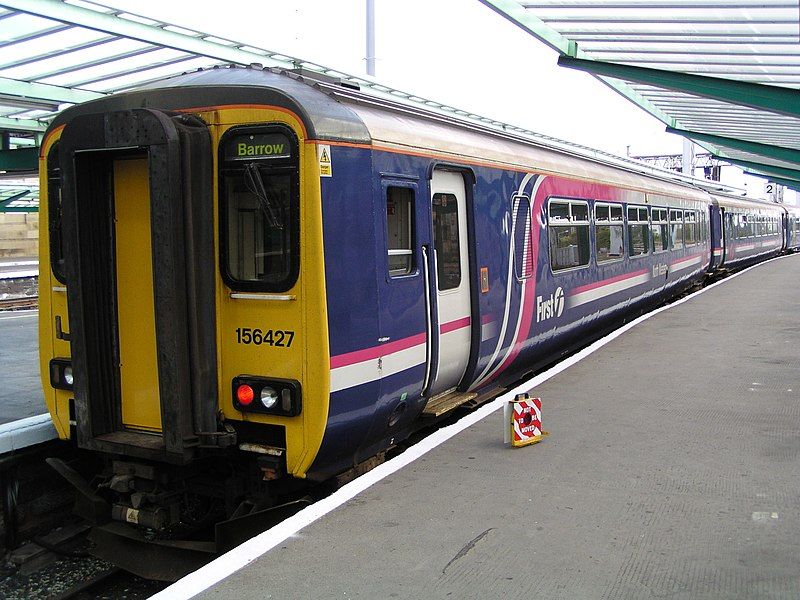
[755, 95]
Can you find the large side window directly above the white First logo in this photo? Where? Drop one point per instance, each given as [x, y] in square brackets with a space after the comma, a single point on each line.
[568, 230]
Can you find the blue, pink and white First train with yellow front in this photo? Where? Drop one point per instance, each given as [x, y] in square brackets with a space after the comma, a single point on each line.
[254, 280]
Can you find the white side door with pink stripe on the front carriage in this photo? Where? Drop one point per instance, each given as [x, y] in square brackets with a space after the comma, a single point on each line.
[451, 276]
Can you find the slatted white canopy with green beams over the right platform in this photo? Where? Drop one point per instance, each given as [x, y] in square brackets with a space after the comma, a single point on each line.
[724, 74]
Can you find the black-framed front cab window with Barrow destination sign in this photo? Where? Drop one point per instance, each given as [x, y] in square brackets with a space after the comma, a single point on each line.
[260, 209]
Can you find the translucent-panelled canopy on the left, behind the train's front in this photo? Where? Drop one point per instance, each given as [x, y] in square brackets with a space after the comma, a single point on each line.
[55, 53]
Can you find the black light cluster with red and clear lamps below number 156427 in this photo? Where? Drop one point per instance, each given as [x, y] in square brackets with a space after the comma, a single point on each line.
[275, 396]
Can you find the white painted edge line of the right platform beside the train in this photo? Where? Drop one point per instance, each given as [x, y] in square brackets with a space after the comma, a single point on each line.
[242, 555]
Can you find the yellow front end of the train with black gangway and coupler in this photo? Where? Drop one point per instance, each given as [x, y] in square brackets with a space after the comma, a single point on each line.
[182, 331]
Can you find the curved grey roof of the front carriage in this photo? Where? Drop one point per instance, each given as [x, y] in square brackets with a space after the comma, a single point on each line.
[337, 111]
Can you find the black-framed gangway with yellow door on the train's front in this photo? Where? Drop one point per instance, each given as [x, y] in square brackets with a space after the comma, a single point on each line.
[141, 297]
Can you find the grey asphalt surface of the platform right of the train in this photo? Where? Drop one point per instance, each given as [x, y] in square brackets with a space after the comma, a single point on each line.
[671, 470]
